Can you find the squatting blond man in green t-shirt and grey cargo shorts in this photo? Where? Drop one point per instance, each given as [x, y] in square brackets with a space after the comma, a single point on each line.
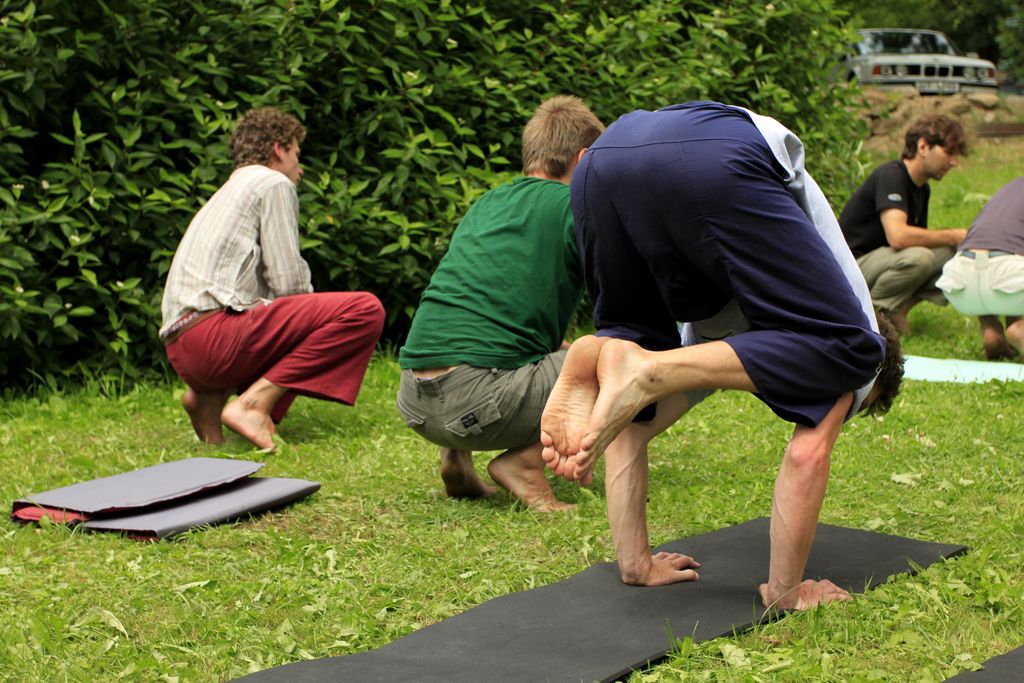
[487, 343]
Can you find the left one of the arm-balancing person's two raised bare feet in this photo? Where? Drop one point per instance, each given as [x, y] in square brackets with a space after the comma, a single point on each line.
[565, 421]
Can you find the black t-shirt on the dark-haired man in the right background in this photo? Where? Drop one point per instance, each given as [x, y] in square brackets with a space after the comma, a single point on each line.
[889, 187]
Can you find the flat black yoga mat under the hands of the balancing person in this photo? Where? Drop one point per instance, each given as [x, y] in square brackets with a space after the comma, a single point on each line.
[593, 628]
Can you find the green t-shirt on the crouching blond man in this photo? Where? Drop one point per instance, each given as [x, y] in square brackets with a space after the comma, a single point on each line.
[505, 292]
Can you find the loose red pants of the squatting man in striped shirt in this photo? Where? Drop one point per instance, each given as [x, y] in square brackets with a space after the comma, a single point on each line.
[313, 345]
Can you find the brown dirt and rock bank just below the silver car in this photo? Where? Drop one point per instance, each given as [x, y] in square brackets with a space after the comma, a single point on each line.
[890, 113]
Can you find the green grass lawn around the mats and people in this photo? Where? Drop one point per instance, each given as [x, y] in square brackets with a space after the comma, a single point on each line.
[380, 551]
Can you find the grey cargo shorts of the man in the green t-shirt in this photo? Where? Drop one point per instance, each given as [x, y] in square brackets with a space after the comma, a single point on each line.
[481, 409]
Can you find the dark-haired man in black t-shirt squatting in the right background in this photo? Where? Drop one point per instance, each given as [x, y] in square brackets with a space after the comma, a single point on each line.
[886, 221]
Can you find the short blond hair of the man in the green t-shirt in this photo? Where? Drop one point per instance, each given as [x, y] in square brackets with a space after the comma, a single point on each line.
[560, 129]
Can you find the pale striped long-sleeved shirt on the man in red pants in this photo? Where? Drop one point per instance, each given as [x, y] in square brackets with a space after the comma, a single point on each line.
[241, 249]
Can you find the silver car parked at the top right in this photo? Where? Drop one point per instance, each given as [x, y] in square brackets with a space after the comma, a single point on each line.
[925, 60]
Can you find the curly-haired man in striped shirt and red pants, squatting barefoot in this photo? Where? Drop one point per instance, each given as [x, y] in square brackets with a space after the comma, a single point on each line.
[239, 310]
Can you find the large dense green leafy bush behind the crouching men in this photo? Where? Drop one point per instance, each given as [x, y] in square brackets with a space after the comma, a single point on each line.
[114, 120]
